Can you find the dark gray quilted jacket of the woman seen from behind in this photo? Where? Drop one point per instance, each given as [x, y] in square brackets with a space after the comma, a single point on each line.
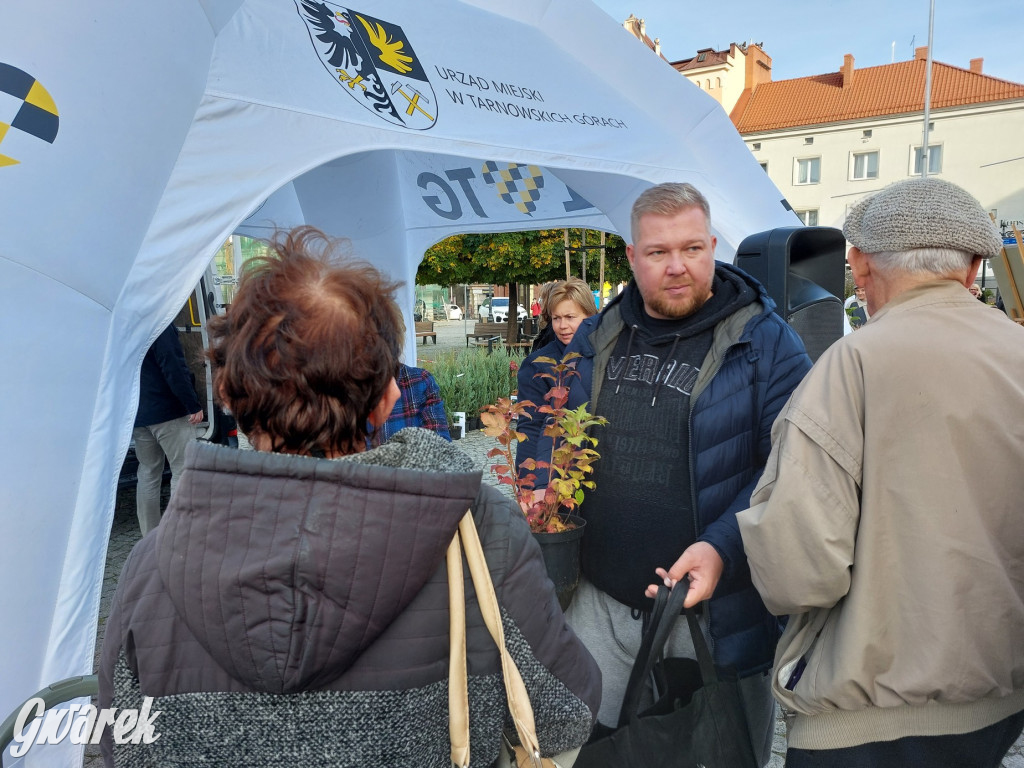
[293, 612]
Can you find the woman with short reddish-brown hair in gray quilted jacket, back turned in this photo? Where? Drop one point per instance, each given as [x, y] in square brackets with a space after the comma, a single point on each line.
[292, 608]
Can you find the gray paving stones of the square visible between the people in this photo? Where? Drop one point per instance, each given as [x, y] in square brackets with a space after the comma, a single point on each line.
[125, 534]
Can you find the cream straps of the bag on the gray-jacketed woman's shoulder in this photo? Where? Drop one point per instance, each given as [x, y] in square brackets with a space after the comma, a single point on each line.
[516, 690]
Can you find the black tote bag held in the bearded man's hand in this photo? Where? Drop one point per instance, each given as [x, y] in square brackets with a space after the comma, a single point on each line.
[698, 718]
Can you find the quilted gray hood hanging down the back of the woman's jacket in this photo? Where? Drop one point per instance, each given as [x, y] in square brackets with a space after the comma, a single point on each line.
[286, 568]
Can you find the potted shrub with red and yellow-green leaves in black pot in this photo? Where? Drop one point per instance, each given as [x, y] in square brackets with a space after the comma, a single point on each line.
[570, 466]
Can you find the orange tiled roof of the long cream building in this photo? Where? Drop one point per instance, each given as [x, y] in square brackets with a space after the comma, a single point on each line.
[875, 92]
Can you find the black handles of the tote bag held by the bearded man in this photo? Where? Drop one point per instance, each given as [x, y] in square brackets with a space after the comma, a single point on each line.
[668, 607]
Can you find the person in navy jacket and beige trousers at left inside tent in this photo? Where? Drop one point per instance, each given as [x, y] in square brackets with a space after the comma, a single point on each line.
[168, 413]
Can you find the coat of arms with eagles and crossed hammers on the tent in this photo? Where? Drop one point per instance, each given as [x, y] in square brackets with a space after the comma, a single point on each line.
[374, 62]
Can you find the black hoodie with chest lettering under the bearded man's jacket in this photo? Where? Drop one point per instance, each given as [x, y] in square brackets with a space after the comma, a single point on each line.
[644, 475]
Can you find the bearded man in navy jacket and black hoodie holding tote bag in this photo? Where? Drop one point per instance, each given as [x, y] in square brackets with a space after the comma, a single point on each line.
[691, 366]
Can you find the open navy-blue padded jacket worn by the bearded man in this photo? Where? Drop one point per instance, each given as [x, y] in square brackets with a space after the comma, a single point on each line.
[755, 363]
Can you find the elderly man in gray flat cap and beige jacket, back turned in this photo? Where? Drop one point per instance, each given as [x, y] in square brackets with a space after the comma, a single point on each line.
[888, 524]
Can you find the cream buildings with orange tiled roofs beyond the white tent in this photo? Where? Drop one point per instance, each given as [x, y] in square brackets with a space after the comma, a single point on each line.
[828, 141]
